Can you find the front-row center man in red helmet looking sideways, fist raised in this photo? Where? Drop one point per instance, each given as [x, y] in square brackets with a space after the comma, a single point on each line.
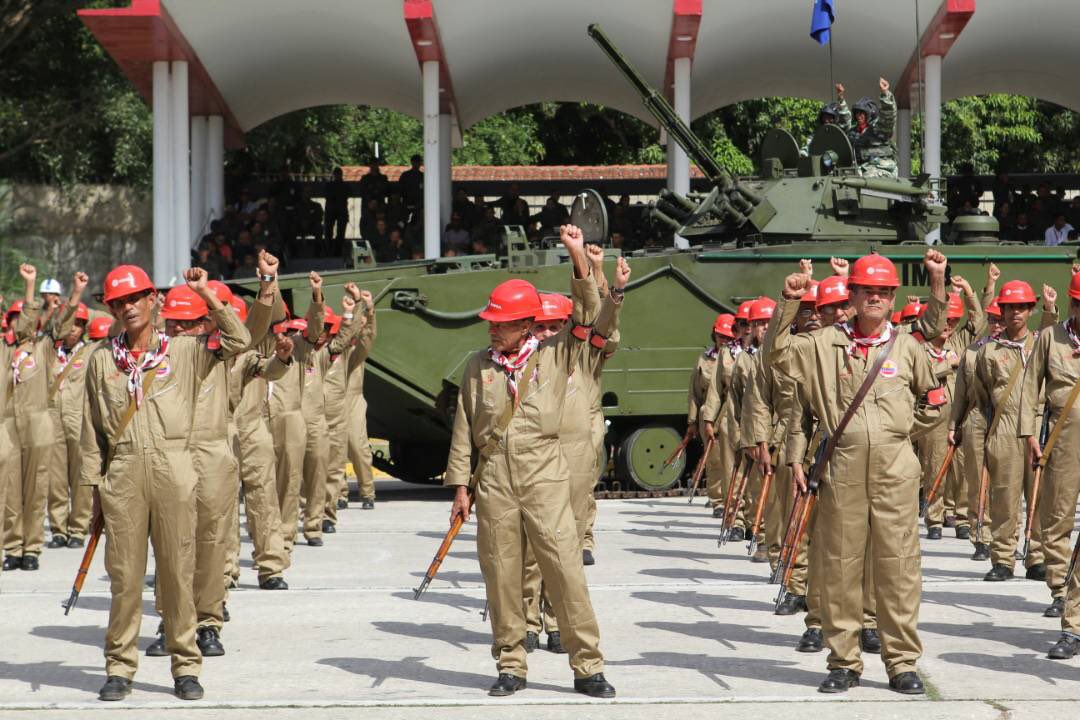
[522, 478]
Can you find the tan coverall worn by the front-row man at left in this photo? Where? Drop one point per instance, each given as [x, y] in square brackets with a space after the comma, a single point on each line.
[150, 490]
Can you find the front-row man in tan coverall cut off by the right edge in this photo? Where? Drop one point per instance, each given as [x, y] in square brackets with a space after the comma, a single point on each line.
[1056, 365]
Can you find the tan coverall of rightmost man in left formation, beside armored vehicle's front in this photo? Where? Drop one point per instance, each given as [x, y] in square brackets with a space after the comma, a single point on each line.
[352, 441]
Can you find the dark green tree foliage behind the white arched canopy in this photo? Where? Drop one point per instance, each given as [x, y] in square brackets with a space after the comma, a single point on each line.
[67, 115]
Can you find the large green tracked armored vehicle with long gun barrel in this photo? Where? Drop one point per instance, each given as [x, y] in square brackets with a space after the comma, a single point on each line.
[748, 234]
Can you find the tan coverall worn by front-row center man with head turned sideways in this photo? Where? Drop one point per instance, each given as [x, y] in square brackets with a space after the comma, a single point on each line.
[524, 494]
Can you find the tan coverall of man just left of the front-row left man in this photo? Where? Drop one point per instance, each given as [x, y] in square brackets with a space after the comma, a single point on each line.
[71, 505]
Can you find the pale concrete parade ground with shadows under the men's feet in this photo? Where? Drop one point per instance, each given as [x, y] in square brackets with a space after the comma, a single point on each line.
[682, 623]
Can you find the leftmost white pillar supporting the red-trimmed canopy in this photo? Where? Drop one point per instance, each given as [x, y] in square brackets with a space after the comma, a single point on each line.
[163, 178]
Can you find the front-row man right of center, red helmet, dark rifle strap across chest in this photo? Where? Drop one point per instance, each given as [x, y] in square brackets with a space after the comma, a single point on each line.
[873, 482]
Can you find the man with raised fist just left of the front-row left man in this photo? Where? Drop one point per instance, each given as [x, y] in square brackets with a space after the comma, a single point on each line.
[70, 504]
